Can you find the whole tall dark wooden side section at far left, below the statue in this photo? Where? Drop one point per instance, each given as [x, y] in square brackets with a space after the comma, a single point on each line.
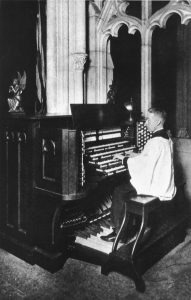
[17, 176]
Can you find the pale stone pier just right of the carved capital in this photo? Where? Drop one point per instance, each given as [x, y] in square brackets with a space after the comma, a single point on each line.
[100, 71]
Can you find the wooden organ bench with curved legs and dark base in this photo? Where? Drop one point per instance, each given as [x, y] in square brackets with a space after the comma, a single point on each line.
[134, 258]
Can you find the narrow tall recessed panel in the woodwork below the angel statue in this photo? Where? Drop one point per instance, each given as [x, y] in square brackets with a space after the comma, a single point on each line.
[15, 156]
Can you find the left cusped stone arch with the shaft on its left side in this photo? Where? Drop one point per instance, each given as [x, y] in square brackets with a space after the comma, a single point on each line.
[111, 18]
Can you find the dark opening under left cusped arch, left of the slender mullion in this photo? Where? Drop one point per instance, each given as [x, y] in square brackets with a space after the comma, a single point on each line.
[126, 57]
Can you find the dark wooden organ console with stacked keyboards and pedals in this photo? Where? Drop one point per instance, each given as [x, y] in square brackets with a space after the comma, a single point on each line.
[57, 177]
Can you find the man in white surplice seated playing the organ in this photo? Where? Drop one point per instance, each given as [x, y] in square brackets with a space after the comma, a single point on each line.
[151, 171]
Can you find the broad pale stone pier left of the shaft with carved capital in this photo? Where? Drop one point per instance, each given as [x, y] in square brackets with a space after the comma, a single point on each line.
[57, 57]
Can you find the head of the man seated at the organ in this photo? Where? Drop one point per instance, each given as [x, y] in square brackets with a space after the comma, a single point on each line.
[156, 119]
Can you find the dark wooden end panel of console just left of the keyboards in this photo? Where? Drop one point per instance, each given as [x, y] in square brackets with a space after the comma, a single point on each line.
[58, 167]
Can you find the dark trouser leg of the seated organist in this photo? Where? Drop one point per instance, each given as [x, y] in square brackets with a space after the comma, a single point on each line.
[120, 195]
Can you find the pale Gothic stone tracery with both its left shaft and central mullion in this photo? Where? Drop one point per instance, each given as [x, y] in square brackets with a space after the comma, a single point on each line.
[111, 15]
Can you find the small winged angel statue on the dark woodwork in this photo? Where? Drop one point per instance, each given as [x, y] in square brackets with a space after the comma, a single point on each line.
[16, 88]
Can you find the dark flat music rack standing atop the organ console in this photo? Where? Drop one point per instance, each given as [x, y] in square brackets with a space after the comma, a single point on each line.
[98, 116]
